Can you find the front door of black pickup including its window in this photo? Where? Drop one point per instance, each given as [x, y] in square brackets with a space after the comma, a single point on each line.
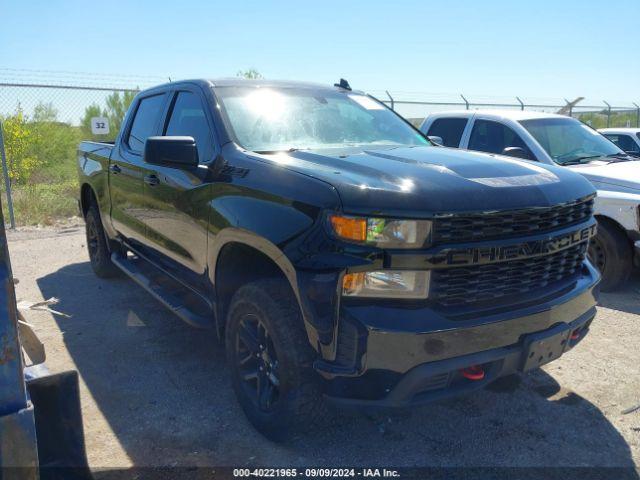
[176, 198]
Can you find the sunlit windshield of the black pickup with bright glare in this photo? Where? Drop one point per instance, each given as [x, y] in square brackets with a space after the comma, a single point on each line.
[279, 119]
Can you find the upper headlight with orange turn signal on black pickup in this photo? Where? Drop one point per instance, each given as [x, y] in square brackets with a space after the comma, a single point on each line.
[382, 232]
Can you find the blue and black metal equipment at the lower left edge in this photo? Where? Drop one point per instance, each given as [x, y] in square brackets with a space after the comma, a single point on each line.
[41, 433]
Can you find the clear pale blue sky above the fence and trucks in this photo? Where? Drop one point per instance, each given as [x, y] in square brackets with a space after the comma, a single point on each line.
[496, 48]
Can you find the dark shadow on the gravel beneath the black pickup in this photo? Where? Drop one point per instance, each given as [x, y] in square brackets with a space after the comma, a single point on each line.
[164, 389]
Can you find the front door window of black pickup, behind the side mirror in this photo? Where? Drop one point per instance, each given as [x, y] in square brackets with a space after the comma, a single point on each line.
[188, 119]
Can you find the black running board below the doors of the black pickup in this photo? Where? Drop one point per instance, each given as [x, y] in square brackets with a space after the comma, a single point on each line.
[160, 293]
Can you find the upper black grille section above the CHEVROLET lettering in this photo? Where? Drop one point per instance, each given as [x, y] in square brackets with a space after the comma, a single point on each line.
[479, 227]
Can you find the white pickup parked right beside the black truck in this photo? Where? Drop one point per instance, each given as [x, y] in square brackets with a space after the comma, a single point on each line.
[558, 140]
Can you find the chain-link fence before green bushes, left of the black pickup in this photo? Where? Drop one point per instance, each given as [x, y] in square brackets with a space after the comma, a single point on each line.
[42, 125]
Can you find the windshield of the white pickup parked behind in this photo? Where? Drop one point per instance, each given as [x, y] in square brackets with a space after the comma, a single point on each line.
[567, 140]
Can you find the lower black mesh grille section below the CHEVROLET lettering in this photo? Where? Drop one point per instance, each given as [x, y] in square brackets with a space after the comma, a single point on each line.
[461, 286]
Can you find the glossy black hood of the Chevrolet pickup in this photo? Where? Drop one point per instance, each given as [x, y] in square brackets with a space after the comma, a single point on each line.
[421, 181]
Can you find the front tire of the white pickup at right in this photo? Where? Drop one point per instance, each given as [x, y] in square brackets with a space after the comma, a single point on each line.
[609, 251]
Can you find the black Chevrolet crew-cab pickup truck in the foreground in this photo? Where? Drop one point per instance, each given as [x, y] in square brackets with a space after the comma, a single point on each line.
[341, 256]
